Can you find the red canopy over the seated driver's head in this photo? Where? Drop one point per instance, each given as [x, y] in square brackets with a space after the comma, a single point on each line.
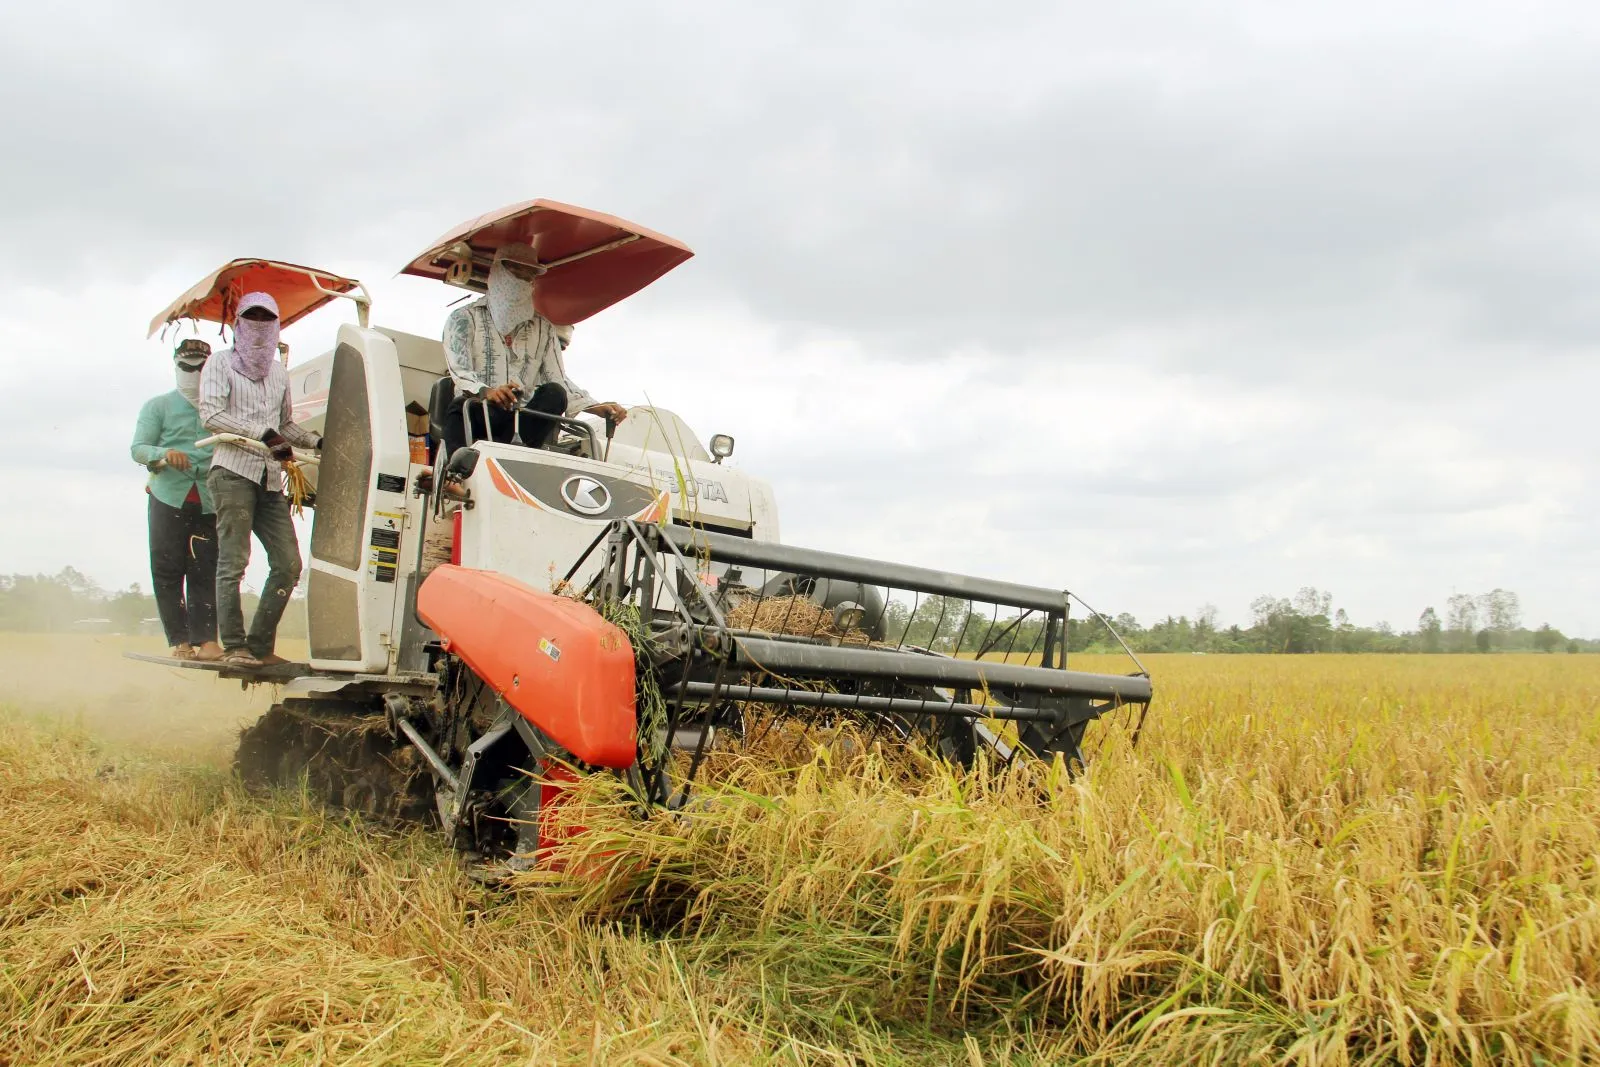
[586, 262]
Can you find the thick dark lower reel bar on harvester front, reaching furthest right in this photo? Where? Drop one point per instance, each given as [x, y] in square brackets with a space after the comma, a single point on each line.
[798, 658]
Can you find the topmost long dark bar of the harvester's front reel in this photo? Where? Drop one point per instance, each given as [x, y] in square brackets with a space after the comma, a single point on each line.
[783, 557]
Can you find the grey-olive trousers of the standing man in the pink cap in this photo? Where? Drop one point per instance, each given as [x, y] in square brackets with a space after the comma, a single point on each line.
[246, 508]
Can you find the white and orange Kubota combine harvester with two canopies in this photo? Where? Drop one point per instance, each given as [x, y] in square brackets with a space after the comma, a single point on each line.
[617, 602]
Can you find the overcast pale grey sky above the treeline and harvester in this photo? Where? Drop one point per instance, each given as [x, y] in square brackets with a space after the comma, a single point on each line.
[1164, 303]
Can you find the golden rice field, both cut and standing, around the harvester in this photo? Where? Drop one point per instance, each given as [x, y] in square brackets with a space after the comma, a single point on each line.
[1306, 861]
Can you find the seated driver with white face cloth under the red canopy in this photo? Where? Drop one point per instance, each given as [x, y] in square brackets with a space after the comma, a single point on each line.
[500, 350]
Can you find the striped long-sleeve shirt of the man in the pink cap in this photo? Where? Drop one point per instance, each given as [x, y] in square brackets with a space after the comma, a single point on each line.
[233, 404]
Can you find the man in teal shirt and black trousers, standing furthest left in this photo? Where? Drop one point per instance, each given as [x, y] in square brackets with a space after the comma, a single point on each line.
[183, 526]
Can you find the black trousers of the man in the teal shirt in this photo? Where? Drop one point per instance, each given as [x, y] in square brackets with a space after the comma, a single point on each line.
[183, 572]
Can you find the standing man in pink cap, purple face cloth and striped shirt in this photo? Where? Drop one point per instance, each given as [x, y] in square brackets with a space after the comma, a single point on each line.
[246, 391]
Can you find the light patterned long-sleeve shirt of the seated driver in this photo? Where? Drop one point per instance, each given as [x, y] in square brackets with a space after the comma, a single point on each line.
[479, 359]
